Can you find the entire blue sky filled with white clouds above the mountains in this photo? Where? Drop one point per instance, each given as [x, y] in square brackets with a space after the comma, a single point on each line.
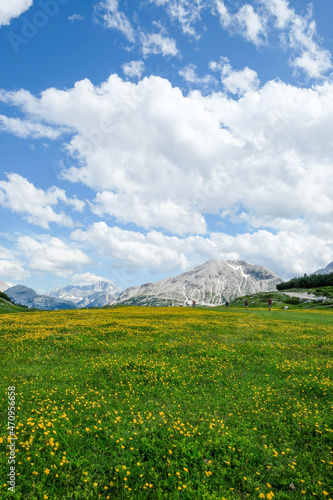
[139, 139]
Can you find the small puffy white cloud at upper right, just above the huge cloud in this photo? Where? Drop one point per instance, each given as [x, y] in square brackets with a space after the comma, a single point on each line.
[236, 82]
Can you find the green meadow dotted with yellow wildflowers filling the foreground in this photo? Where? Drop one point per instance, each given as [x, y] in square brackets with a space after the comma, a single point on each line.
[169, 403]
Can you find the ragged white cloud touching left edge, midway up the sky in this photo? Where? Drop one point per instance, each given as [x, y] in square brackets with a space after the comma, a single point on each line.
[21, 196]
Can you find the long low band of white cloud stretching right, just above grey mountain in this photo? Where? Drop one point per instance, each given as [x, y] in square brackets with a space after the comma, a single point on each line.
[287, 254]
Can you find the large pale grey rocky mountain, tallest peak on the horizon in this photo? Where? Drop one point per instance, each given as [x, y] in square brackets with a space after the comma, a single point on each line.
[212, 283]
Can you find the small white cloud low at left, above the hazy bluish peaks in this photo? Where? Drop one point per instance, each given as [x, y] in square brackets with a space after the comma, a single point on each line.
[52, 255]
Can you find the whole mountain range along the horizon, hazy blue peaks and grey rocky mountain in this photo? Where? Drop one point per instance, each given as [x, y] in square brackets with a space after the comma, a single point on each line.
[211, 284]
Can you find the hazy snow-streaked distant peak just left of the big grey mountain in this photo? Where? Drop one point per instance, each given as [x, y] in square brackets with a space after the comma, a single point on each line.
[96, 294]
